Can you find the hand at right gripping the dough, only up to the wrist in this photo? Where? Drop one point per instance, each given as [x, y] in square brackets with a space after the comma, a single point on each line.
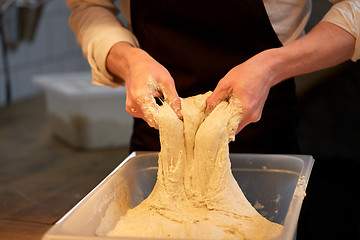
[247, 85]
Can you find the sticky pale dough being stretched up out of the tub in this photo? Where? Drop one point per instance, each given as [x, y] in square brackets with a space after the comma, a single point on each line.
[196, 195]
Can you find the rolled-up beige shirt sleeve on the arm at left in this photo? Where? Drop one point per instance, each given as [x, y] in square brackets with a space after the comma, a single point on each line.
[97, 29]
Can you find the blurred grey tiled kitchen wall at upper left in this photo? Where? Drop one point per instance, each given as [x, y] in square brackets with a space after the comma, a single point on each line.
[54, 49]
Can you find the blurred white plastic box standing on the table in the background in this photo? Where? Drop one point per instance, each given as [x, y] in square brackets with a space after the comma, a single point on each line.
[85, 115]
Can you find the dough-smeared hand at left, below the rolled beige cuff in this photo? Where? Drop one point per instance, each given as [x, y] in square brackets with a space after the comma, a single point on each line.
[145, 80]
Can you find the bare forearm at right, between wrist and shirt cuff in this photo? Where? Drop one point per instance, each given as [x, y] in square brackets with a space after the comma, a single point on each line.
[326, 45]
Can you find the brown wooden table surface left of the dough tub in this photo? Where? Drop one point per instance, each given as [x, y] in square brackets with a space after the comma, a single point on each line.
[42, 178]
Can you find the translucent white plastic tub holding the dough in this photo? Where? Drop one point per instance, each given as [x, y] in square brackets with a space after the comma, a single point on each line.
[274, 184]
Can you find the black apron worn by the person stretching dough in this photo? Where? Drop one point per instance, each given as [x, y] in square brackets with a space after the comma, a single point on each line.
[199, 41]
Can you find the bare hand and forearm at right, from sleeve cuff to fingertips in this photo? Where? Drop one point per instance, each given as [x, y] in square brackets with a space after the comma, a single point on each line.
[249, 83]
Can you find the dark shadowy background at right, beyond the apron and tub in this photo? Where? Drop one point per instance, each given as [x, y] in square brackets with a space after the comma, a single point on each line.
[329, 108]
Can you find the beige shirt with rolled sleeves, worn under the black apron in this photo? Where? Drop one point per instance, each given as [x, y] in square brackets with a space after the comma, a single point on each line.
[97, 27]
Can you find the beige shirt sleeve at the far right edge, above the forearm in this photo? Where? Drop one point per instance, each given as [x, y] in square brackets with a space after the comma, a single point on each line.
[346, 14]
